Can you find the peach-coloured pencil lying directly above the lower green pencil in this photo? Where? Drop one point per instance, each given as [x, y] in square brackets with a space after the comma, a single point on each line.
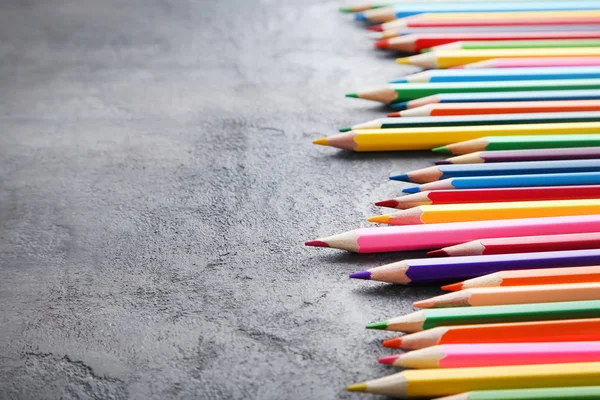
[494, 296]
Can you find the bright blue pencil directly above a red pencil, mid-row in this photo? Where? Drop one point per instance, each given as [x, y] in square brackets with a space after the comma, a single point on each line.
[510, 181]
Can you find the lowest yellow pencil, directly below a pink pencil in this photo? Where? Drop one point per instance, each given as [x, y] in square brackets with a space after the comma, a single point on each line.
[444, 382]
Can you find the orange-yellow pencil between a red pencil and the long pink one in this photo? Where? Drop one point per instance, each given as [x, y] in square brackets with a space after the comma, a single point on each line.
[444, 213]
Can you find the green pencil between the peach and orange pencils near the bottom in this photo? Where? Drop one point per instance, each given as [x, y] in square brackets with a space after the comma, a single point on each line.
[435, 317]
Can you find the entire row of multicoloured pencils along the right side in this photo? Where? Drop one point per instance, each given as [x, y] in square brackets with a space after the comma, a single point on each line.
[510, 91]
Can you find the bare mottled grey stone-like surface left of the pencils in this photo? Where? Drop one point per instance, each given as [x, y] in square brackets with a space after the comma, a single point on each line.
[157, 181]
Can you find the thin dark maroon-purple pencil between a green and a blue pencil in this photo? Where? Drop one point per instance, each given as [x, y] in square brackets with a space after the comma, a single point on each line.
[574, 153]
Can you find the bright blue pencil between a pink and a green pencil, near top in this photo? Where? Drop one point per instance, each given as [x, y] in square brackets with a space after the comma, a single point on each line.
[501, 74]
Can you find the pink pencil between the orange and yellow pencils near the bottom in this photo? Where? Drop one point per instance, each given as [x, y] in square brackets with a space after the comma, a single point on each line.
[498, 354]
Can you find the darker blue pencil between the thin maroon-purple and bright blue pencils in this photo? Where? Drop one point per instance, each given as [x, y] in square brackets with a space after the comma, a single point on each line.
[440, 172]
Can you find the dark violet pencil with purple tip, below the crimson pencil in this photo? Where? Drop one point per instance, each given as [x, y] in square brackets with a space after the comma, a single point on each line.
[443, 270]
